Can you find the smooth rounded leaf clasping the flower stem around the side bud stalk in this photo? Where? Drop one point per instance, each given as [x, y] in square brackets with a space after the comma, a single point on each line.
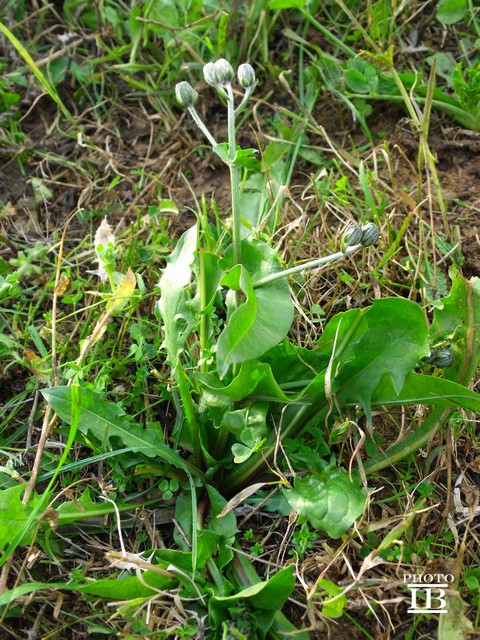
[264, 319]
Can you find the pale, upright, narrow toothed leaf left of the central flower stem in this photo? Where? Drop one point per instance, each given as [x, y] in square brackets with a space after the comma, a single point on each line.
[173, 304]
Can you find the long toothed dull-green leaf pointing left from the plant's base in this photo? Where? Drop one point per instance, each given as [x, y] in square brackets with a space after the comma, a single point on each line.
[106, 420]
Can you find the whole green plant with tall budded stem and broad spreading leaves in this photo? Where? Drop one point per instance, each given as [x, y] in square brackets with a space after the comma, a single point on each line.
[241, 388]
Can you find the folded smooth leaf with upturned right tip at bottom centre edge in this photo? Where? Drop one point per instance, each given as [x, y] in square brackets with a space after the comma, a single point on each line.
[264, 598]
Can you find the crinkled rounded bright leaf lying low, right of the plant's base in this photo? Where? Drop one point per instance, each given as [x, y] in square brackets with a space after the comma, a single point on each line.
[331, 502]
